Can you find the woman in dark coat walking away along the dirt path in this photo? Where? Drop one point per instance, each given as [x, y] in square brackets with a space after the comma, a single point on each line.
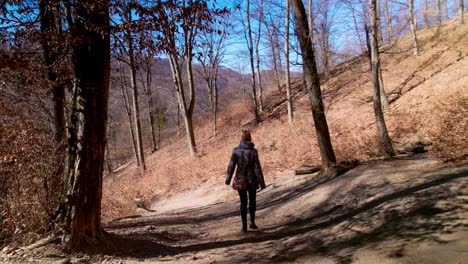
[248, 179]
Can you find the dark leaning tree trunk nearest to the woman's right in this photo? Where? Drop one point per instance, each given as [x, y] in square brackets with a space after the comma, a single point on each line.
[313, 84]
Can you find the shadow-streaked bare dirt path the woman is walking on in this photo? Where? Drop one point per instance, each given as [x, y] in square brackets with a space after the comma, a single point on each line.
[411, 209]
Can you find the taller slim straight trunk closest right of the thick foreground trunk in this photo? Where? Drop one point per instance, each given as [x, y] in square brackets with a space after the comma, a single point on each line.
[135, 99]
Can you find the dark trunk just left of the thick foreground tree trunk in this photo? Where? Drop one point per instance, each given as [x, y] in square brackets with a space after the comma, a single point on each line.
[48, 28]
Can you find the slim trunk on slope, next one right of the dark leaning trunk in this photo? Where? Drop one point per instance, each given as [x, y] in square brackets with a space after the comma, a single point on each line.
[385, 142]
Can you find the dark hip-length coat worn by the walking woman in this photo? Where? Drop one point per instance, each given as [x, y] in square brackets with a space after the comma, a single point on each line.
[245, 158]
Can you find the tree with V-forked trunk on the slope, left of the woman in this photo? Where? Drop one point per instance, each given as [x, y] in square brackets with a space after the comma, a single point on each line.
[178, 23]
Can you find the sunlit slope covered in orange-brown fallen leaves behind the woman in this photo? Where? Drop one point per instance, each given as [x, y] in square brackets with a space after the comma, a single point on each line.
[427, 95]
